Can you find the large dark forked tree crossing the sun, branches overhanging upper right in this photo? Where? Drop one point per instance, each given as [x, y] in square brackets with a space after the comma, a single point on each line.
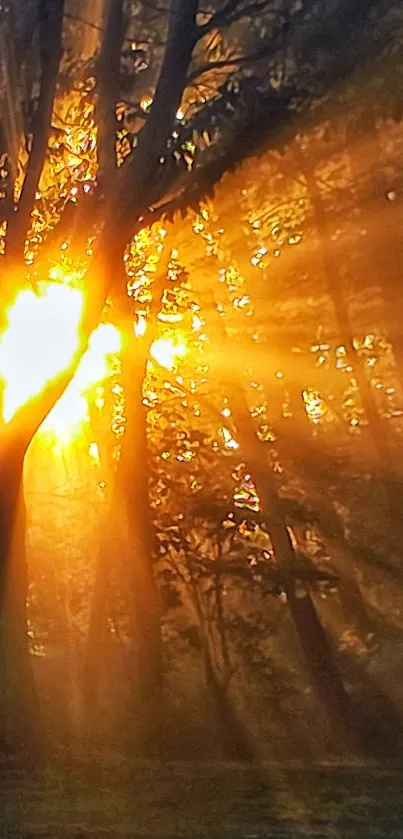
[172, 150]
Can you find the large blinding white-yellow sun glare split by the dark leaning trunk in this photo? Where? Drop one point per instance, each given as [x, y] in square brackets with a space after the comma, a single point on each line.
[40, 341]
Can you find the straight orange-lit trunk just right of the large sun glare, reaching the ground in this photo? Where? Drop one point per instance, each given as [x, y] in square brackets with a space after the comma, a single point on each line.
[146, 652]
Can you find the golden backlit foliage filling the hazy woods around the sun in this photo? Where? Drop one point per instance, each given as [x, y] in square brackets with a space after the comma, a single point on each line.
[129, 199]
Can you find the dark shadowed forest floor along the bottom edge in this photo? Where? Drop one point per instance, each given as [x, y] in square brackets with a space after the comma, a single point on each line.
[215, 801]
